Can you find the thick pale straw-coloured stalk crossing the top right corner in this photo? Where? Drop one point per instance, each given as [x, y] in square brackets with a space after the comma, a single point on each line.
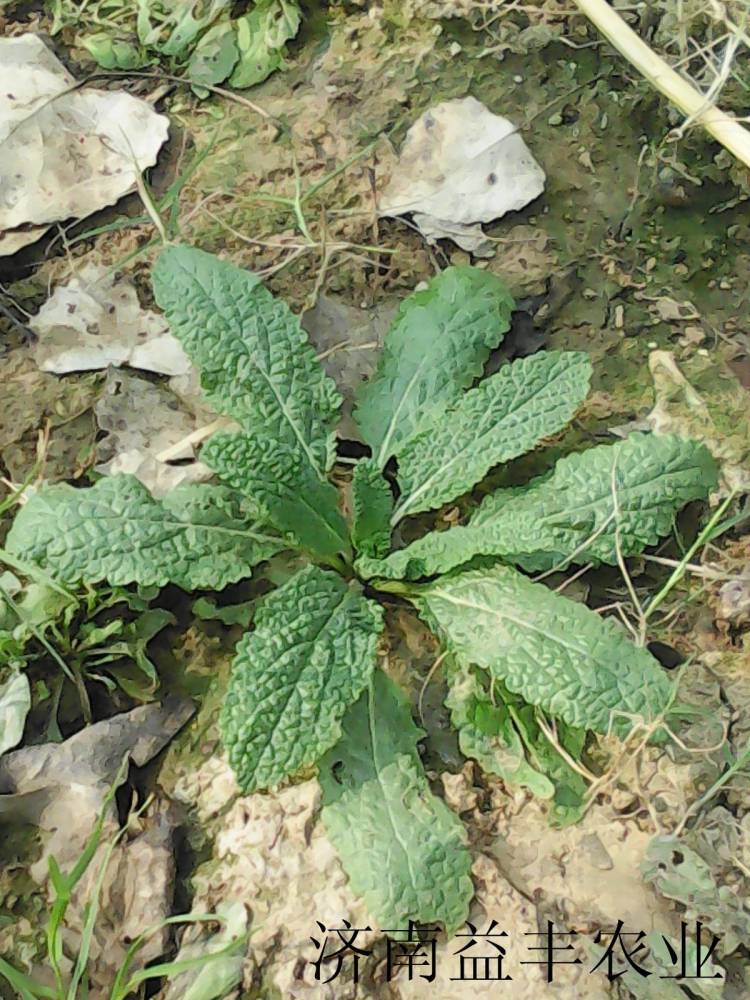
[723, 127]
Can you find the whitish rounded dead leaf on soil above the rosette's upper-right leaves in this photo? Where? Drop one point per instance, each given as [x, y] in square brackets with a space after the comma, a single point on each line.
[461, 165]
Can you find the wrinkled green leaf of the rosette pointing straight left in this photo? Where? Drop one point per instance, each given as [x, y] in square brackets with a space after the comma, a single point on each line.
[197, 536]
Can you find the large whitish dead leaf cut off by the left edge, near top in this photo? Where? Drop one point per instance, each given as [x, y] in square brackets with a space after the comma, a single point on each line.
[64, 151]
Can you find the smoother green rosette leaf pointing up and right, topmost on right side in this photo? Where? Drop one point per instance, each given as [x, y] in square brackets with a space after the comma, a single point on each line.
[438, 344]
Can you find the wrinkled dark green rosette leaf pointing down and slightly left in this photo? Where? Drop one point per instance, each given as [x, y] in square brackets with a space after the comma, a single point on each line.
[294, 676]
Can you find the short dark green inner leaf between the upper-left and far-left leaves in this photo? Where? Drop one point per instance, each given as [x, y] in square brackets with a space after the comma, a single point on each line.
[281, 483]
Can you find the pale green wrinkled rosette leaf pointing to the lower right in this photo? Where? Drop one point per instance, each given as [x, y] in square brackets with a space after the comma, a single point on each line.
[555, 653]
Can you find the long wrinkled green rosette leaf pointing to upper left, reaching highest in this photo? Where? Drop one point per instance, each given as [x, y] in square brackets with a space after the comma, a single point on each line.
[256, 362]
